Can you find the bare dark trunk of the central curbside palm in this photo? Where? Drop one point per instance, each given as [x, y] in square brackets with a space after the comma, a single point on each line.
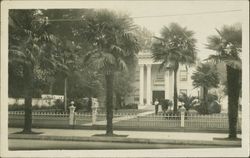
[109, 103]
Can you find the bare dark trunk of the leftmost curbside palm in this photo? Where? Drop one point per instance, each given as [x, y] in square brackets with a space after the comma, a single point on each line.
[28, 77]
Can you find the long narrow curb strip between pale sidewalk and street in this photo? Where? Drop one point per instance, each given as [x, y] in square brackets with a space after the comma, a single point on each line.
[126, 140]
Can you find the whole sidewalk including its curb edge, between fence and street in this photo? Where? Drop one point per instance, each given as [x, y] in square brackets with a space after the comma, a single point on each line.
[131, 136]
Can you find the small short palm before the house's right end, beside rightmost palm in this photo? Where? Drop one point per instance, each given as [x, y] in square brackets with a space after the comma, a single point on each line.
[205, 76]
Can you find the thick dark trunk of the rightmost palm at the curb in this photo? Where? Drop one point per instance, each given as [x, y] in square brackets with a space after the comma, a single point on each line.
[233, 85]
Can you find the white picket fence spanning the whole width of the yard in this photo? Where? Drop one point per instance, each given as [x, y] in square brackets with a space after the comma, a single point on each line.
[131, 120]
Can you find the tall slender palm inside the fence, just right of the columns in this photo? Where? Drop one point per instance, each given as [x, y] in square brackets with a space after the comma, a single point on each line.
[175, 46]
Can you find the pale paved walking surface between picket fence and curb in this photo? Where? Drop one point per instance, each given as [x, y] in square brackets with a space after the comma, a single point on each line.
[133, 135]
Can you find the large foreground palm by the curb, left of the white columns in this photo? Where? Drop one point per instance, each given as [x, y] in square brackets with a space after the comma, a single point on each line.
[113, 46]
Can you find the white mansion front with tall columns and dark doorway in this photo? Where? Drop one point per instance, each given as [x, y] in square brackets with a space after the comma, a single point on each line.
[151, 83]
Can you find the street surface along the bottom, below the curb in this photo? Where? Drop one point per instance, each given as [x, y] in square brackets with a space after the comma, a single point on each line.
[21, 144]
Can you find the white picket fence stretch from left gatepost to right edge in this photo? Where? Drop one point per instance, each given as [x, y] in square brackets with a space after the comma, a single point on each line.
[194, 121]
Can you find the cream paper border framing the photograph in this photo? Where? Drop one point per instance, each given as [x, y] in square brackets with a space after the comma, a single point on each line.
[217, 152]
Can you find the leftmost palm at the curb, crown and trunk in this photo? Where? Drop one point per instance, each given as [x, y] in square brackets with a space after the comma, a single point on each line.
[28, 38]
